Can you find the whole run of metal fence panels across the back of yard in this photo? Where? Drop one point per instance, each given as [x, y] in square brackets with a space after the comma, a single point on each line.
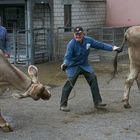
[42, 44]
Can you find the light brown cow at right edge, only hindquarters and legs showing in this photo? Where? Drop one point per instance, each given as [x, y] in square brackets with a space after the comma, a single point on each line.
[132, 37]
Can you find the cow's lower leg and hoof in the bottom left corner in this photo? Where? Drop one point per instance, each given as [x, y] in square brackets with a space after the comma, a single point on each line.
[4, 125]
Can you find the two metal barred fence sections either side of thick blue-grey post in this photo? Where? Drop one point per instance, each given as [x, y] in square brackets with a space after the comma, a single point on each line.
[20, 49]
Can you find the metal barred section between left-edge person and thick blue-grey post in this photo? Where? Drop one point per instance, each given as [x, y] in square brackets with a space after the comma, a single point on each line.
[19, 47]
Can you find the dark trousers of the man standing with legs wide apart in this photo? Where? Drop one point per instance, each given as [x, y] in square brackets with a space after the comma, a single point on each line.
[92, 81]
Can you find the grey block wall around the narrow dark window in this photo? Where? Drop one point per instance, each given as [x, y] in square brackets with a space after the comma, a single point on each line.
[87, 14]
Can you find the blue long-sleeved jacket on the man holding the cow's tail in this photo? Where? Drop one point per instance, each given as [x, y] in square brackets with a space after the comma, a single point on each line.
[77, 54]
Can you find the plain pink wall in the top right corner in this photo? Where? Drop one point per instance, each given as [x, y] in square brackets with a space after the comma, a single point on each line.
[123, 12]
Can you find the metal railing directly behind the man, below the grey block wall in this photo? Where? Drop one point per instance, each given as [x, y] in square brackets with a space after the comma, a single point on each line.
[111, 35]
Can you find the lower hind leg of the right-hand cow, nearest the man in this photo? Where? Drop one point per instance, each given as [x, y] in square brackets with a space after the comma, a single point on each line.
[128, 84]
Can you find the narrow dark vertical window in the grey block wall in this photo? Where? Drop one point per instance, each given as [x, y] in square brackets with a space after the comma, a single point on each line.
[67, 17]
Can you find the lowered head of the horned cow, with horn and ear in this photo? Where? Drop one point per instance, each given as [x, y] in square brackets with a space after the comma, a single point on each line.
[36, 90]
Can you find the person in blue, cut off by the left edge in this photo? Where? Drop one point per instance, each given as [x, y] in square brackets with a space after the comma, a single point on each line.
[4, 41]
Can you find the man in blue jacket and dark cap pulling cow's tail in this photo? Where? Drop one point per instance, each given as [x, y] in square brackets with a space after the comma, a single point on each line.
[76, 63]
